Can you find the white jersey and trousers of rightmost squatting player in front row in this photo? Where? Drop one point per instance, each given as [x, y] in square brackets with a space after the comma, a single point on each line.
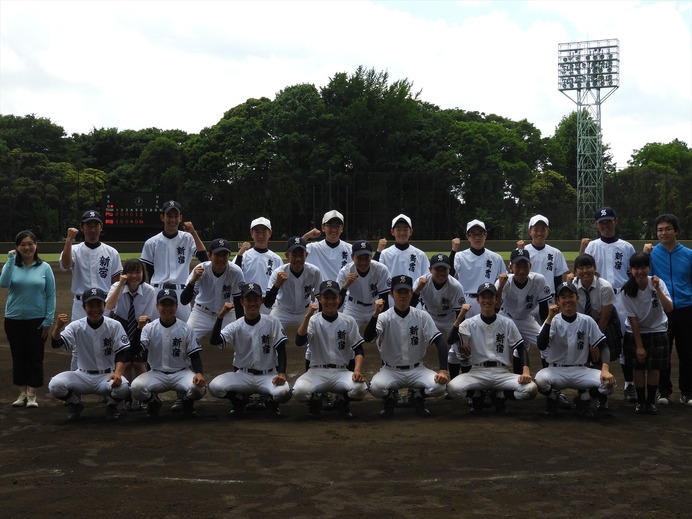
[568, 355]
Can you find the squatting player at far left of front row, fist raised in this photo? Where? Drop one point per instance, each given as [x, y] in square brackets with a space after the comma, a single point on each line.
[101, 346]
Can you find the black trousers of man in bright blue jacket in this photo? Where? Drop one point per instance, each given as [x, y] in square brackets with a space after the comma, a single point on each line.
[680, 331]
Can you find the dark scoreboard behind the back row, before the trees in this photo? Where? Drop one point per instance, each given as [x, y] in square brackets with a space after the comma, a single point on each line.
[132, 215]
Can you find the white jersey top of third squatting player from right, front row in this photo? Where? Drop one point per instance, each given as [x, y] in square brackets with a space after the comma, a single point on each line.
[403, 340]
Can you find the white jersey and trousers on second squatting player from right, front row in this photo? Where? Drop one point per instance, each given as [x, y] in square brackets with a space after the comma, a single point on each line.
[492, 345]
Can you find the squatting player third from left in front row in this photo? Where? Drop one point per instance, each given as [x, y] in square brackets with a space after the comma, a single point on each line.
[259, 355]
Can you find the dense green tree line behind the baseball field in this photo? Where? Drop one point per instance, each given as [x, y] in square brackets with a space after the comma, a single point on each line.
[362, 144]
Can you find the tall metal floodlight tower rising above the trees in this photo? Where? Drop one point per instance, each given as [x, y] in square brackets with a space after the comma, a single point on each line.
[588, 73]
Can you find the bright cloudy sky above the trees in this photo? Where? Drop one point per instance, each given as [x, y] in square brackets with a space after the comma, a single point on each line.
[181, 64]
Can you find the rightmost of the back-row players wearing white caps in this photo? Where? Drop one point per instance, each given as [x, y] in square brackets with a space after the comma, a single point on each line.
[545, 259]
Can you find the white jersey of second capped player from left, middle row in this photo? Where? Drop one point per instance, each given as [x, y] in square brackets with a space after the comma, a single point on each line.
[295, 294]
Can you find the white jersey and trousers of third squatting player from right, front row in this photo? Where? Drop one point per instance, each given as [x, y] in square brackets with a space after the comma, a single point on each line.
[402, 342]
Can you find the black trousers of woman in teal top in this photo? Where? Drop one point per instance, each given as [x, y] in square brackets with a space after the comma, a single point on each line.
[26, 345]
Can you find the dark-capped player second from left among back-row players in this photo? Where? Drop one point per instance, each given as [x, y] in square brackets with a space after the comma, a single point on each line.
[167, 255]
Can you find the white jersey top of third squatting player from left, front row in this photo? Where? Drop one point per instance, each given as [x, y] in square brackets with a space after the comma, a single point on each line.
[254, 346]
